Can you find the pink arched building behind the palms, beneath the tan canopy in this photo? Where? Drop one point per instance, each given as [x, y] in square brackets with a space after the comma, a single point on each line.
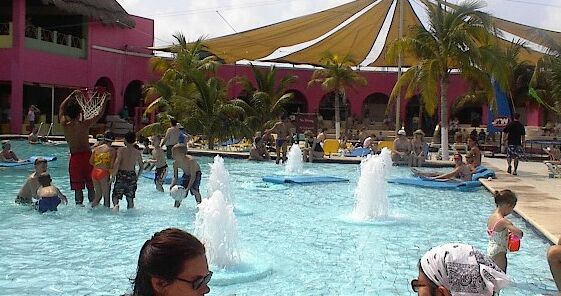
[370, 102]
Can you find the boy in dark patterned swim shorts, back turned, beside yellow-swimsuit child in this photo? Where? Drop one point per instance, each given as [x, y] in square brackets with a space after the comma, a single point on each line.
[124, 174]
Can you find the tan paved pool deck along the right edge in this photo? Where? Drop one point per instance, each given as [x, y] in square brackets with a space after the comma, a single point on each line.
[539, 197]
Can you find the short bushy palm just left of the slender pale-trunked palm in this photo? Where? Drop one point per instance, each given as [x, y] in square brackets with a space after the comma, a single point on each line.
[266, 101]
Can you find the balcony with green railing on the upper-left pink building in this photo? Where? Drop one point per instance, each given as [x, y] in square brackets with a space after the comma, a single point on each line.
[54, 42]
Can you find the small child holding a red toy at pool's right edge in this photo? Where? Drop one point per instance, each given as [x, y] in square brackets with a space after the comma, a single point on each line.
[498, 227]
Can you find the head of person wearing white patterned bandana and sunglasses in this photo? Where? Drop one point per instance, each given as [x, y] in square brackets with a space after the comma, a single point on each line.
[458, 269]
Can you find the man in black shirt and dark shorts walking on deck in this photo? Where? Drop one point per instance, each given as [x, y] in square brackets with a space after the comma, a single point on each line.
[515, 134]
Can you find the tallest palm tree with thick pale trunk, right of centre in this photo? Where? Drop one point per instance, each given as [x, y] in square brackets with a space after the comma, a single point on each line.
[453, 41]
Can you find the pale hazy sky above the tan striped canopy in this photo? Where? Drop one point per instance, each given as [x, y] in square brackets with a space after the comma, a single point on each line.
[213, 18]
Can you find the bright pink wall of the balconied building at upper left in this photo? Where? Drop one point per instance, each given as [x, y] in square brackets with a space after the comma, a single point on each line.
[19, 64]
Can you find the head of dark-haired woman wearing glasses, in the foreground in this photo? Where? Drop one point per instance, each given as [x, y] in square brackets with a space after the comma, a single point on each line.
[172, 262]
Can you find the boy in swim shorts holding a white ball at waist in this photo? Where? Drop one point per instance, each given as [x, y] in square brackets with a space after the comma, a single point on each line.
[191, 172]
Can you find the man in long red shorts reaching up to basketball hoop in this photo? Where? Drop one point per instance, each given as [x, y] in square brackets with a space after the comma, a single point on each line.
[76, 132]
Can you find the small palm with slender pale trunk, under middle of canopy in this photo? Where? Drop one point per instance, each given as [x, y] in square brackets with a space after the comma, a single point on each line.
[336, 76]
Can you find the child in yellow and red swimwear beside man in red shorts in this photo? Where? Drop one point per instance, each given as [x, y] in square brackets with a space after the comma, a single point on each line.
[102, 159]
